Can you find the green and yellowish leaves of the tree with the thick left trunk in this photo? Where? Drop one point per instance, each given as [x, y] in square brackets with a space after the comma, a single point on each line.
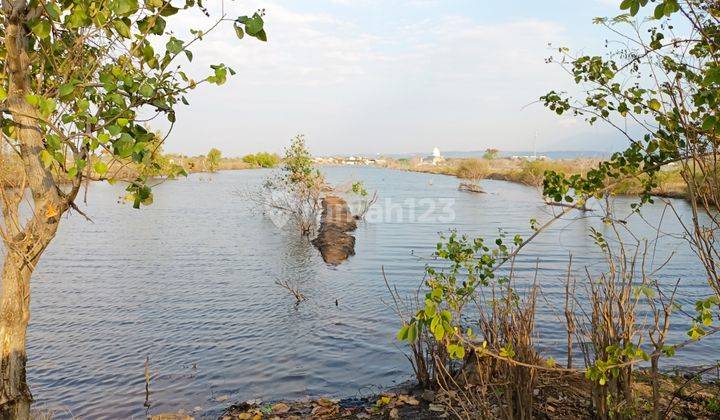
[106, 62]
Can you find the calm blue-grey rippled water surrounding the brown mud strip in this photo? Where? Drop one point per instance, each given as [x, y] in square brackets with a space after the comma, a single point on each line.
[189, 283]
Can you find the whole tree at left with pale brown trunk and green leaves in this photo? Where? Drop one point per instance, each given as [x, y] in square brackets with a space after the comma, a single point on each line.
[76, 76]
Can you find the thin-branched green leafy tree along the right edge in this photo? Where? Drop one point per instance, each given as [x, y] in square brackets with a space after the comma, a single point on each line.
[661, 91]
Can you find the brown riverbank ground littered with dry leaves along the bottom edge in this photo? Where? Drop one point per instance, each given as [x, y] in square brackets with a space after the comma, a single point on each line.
[556, 396]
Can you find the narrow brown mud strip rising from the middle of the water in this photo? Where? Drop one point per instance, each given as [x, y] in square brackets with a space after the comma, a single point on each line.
[333, 240]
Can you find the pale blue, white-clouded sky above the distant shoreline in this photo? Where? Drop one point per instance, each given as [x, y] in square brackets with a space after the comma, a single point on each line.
[390, 76]
